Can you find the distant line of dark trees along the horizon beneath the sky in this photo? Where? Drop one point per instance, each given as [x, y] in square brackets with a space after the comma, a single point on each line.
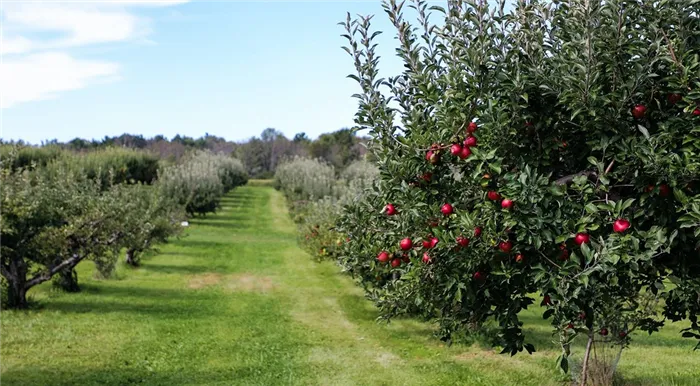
[260, 155]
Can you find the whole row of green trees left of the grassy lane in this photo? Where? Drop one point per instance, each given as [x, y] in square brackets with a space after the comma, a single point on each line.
[59, 209]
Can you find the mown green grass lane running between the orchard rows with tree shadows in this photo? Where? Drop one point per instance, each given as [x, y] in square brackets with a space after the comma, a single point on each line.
[237, 302]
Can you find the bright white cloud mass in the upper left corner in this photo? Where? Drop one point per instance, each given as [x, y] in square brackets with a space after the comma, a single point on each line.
[40, 68]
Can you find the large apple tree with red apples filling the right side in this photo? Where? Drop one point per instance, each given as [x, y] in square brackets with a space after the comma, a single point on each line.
[553, 92]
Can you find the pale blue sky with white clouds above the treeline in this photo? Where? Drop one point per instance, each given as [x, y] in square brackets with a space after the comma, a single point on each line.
[228, 68]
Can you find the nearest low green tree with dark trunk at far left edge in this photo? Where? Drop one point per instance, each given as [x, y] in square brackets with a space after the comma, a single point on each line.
[50, 222]
